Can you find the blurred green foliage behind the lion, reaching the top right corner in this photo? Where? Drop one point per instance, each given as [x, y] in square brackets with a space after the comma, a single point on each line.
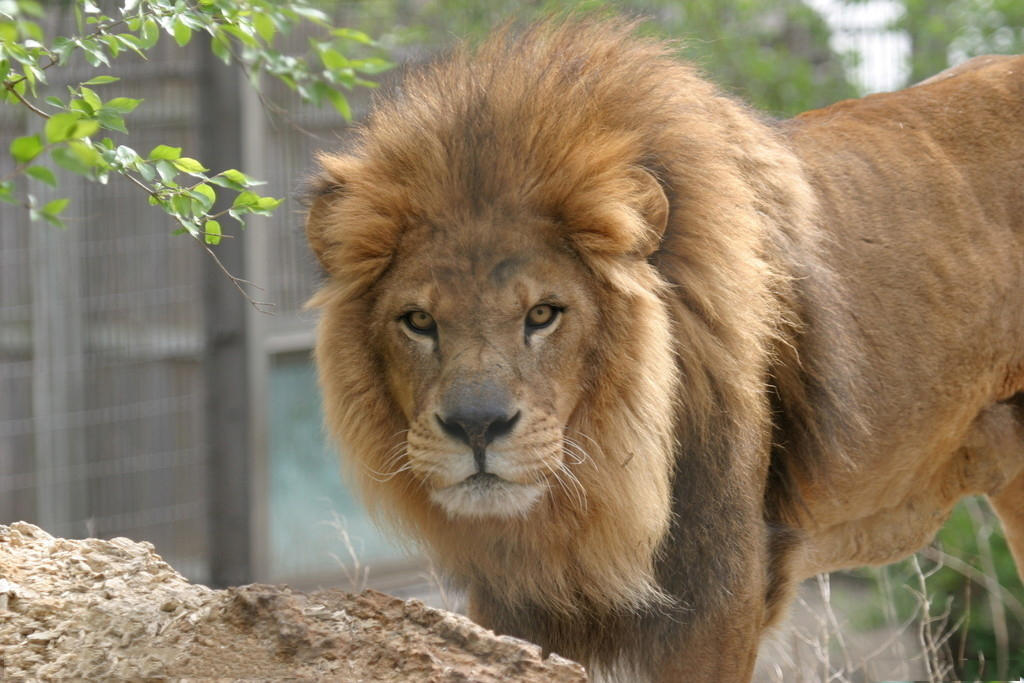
[776, 56]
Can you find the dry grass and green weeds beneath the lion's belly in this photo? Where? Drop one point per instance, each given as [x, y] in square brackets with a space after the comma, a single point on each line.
[922, 632]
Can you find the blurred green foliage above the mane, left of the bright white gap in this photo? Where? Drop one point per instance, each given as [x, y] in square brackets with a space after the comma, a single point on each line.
[775, 56]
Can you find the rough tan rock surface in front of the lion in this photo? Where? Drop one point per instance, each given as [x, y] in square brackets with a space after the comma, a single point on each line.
[115, 610]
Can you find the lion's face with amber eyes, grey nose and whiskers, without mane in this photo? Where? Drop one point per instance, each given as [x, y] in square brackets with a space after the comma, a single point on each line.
[486, 346]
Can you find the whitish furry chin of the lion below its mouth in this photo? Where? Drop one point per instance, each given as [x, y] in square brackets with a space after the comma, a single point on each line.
[487, 496]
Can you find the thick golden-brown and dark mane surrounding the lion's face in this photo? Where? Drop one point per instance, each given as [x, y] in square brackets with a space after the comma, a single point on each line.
[559, 119]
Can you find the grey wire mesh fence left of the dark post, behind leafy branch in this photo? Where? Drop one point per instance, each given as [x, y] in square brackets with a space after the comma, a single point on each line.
[101, 338]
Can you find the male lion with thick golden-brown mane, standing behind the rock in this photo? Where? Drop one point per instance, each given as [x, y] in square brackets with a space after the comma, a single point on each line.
[630, 362]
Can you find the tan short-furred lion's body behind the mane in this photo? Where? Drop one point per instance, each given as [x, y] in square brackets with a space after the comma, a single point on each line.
[922, 194]
